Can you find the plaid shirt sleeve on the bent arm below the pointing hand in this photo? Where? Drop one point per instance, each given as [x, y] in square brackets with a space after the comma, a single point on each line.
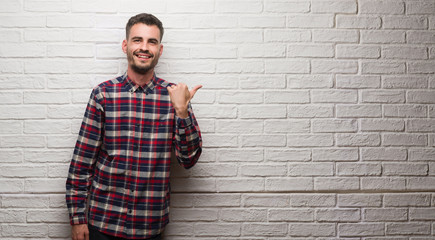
[187, 140]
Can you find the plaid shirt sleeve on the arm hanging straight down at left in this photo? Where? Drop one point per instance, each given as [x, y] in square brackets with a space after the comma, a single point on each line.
[84, 157]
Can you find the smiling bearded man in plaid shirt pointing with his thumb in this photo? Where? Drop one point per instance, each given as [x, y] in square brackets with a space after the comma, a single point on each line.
[119, 173]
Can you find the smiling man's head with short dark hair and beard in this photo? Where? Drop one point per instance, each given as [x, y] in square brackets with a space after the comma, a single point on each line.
[143, 43]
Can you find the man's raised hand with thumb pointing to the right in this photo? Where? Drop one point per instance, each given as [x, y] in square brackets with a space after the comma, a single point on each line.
[180, 97]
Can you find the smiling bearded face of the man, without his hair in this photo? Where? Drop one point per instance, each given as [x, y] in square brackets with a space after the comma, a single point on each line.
[143, 47]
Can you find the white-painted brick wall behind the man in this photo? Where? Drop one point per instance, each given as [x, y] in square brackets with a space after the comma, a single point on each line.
[318, 116]
